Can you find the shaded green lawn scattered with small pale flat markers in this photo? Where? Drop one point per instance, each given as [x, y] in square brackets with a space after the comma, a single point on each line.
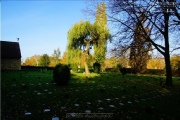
[125, 97]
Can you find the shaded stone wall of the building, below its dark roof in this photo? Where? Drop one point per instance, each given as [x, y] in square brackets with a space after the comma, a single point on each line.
[10, 64]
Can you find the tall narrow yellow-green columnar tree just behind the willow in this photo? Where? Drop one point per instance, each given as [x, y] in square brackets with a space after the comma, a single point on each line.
[101, 23]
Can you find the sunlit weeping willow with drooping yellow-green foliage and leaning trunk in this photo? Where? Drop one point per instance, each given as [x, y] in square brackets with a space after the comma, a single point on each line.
[81, 38]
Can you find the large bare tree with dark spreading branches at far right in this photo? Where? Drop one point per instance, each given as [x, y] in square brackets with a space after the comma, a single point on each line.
[161, 19]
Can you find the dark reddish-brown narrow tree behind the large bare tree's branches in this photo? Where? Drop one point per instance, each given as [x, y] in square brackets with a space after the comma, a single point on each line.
[139, 48]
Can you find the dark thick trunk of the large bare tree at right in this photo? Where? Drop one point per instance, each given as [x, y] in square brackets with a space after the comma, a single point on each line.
[166, 54]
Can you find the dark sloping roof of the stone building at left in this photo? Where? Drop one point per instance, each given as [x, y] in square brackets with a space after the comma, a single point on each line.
[10, 49]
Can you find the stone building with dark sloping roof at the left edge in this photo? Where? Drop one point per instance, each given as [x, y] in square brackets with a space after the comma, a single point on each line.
[10, 55]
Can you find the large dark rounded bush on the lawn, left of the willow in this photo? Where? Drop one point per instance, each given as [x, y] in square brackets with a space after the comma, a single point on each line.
[61, 74]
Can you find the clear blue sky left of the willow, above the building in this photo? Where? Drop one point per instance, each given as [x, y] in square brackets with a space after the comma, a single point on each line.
[41, 26]
